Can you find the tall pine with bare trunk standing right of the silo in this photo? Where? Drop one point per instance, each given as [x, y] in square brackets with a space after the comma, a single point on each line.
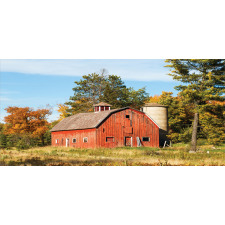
[202, 80]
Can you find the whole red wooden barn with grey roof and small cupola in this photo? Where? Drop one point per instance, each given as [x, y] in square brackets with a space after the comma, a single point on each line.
[106, 128]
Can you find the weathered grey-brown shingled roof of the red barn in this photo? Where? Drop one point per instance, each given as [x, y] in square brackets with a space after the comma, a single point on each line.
[82, 121]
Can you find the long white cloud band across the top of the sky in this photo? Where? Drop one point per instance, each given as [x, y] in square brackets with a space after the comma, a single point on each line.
[142, 70]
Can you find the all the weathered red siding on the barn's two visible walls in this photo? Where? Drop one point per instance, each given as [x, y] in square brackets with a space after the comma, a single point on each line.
[123, 125]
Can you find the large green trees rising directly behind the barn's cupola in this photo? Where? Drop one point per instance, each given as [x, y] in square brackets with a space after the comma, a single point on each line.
[94, 88]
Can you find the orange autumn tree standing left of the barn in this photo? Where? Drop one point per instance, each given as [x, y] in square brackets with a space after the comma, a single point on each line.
[27, 121]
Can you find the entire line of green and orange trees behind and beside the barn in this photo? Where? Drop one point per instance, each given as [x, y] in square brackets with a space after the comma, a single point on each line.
[196, 112]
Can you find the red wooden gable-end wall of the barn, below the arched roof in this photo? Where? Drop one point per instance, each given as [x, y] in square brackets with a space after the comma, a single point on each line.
[119, 127]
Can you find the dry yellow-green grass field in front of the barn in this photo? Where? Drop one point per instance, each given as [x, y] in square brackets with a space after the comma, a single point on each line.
[174, 156]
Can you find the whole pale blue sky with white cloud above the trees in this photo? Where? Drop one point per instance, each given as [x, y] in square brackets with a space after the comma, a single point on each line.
[40, 82]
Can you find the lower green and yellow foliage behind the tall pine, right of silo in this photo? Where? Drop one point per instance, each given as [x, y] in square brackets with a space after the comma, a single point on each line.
[180, 117]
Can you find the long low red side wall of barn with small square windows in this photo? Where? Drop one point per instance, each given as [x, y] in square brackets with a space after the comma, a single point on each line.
[78, 134]
